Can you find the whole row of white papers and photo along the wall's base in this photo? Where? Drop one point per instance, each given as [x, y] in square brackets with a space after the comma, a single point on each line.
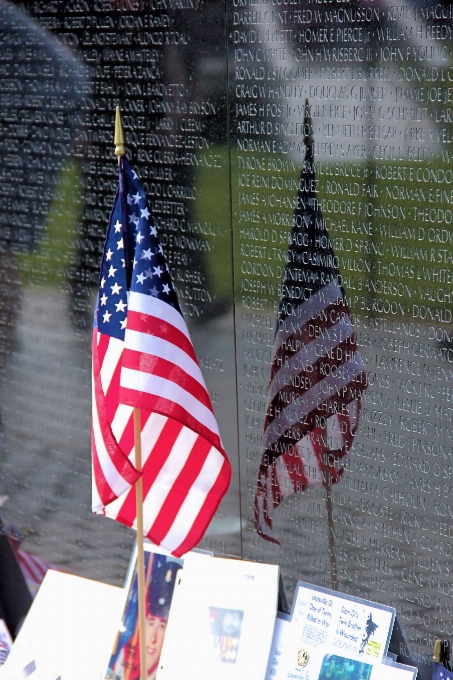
[211, 617]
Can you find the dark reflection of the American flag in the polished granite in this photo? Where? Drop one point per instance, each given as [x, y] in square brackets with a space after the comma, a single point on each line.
[317, 375]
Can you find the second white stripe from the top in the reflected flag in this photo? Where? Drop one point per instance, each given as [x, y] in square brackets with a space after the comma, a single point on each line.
[307, 356]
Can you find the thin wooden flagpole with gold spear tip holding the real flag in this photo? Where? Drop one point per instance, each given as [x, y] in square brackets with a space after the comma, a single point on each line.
[120, 150]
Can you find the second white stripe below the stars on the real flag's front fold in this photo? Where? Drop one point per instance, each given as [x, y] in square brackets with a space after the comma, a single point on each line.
[164, 349]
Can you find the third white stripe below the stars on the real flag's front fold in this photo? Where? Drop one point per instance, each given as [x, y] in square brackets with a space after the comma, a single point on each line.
[167, 389]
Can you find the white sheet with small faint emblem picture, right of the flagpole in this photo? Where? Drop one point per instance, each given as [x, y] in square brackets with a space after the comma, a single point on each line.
[221, 620]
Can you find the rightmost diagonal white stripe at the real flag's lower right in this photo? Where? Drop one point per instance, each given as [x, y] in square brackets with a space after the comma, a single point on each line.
[195, 499]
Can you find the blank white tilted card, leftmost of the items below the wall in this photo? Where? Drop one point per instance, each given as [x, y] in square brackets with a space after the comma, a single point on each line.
[68, 631]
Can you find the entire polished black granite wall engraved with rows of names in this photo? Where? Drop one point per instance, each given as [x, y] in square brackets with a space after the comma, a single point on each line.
[347, 462]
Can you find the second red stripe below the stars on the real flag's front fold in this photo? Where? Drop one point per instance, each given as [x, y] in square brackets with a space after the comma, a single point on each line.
[166, 369]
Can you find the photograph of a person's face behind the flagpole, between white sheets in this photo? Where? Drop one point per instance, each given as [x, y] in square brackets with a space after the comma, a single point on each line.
[160, 577]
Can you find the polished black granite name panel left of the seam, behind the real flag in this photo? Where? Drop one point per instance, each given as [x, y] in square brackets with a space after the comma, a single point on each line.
[65, 67]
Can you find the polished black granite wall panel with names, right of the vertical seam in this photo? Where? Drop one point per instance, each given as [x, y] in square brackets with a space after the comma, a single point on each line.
[376, 78]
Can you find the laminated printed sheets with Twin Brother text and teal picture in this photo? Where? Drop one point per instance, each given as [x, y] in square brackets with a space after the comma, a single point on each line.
[329, 635]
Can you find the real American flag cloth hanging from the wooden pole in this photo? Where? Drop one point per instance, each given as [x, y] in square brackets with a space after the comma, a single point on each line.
[143, 358]
